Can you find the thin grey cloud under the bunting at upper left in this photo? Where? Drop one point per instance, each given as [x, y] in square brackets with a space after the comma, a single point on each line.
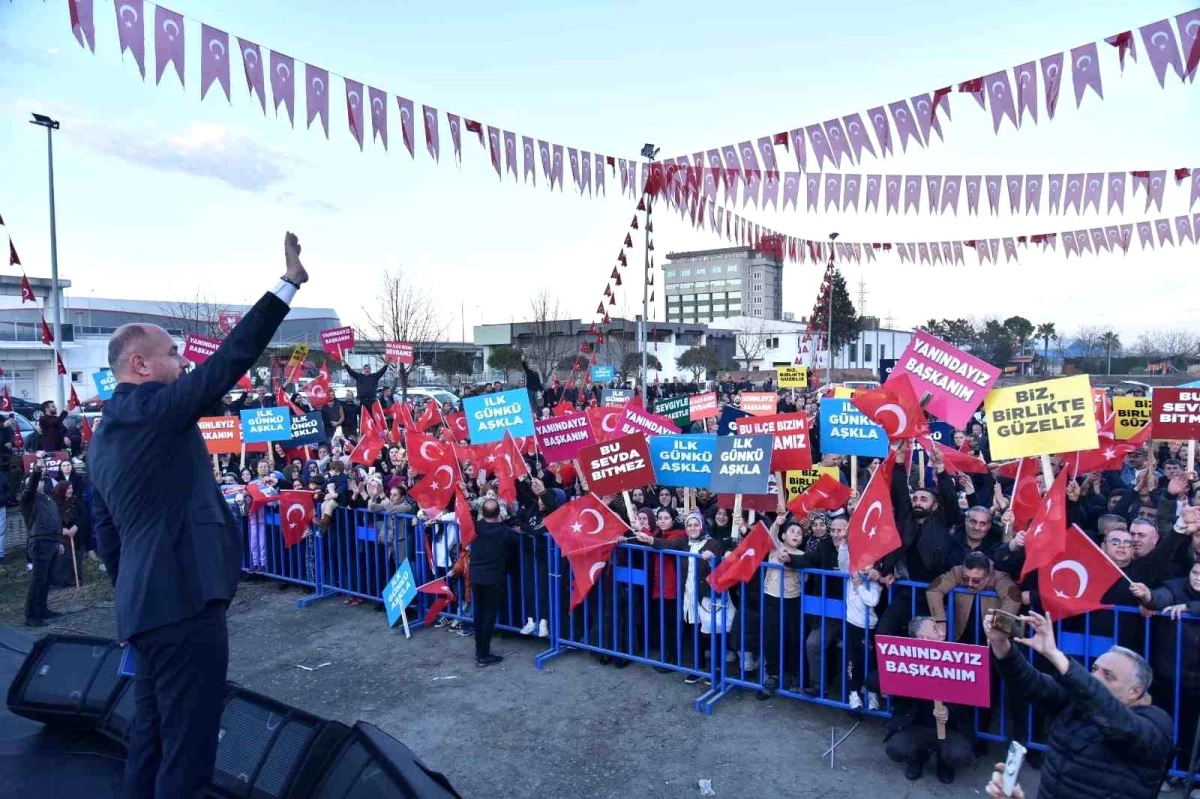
[225, 154]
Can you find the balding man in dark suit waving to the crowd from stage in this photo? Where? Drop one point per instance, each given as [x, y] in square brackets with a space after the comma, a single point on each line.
[169, 540]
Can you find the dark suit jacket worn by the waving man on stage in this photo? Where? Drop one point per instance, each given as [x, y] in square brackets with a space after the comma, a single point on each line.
[164, 530]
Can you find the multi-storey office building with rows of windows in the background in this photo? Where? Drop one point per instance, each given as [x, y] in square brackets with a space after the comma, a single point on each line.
[710, 285]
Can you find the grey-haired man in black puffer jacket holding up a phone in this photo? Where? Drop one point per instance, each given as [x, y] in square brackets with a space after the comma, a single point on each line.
[1107, 738]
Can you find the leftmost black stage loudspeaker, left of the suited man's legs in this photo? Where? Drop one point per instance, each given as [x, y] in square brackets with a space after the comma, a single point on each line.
[68, 682]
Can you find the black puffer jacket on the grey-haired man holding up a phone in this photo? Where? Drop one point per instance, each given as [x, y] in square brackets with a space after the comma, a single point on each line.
[1100, 749]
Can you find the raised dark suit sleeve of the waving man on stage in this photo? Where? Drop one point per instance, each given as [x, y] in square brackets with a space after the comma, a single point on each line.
[184, 401]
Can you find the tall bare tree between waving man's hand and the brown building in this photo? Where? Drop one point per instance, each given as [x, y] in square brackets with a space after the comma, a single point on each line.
[406, 314]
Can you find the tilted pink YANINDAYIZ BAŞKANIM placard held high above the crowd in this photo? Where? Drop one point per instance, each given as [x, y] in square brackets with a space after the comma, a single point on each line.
[956, 382]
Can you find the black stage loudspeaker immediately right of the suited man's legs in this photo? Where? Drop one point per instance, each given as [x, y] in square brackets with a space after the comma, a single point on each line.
[269, 750]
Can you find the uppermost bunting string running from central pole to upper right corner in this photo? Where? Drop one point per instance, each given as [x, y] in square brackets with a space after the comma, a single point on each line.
[921, 116]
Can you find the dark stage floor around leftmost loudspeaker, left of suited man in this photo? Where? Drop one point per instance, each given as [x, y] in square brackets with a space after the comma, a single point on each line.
[39, 762]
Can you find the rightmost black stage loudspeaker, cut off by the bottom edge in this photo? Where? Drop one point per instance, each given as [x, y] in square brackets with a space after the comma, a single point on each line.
[371, 765]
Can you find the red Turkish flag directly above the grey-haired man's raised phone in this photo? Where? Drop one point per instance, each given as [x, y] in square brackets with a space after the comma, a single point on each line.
[1076, 581]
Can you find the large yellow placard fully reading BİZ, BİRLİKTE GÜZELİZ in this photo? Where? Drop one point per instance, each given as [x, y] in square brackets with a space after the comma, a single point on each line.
[1041, 418]
